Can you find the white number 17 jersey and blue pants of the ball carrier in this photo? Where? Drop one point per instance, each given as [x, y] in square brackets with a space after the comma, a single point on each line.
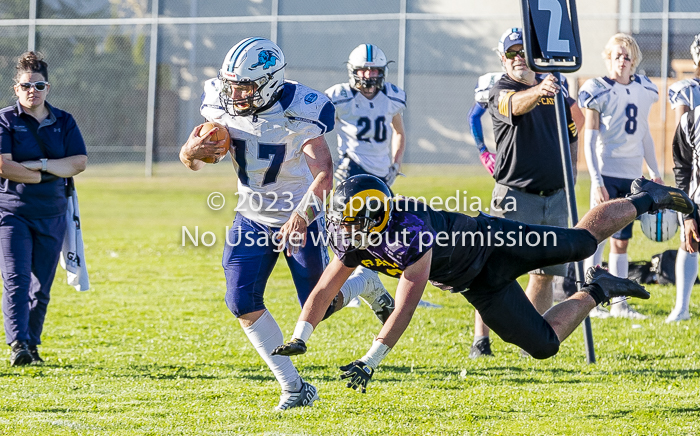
[273, 176]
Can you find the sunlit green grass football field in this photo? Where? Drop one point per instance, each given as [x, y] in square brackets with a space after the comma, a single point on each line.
[152, 348]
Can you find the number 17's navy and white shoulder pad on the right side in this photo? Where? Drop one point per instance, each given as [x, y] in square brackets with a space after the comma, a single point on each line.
[301, 103]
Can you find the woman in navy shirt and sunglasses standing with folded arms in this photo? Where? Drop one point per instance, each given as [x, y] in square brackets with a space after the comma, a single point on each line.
[40, 146]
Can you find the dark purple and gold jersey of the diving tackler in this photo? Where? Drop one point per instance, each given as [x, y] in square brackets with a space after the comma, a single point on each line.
[414, 228]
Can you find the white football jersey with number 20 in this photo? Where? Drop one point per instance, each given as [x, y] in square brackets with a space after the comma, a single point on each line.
[365, 125]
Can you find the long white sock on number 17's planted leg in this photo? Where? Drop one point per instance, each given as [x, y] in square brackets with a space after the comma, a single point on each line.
[265, 335]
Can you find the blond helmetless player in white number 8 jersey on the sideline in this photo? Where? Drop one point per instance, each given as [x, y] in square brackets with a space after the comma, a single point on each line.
[617, 138]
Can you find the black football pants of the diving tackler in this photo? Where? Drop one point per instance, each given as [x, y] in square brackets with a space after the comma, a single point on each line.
[501, 301]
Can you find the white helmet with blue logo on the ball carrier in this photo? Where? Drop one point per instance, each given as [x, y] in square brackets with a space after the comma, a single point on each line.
[258, 63]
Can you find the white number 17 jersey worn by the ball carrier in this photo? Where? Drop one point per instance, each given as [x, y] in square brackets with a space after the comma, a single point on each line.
[267, 149]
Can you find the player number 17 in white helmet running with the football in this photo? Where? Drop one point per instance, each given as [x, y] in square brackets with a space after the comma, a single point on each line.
[284, 169]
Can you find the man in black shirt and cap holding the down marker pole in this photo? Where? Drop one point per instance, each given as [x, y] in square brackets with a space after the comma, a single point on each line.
[529, 175]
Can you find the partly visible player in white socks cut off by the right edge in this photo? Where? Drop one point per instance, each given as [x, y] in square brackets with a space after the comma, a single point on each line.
[684, 96]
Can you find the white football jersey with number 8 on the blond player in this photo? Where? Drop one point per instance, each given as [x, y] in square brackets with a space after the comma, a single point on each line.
[624, 122]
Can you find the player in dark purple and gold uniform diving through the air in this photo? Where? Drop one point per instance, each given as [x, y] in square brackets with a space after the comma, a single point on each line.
[408, 240]
